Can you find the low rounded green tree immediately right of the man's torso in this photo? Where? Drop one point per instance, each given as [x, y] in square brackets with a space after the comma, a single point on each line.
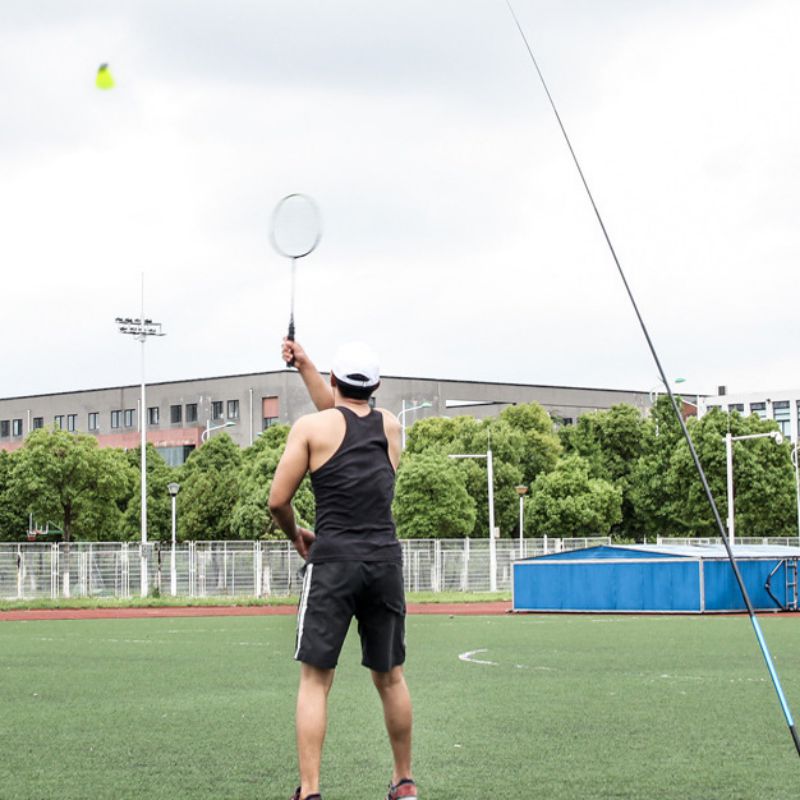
[431, 500]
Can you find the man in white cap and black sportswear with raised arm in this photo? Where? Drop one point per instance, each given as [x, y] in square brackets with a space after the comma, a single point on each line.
[353, 559]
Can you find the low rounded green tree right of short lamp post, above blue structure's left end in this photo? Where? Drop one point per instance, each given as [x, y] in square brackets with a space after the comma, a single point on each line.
[568, 502]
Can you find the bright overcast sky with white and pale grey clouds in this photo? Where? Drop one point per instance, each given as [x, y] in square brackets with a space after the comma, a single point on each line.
[457, 237]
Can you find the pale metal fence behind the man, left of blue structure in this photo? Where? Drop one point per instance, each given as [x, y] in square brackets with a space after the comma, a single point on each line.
[242, 569]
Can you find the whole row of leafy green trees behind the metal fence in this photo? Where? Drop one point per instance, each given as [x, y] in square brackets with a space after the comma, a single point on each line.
[614, 472]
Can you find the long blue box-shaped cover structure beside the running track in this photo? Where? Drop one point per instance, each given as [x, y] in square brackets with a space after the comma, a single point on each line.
[656, 578]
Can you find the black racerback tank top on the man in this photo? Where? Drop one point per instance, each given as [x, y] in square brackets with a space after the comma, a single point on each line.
[354, 491]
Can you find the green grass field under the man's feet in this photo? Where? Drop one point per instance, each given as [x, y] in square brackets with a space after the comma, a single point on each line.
[570, 707]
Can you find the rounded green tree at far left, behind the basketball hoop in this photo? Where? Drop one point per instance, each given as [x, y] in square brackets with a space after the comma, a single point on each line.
[67, 479]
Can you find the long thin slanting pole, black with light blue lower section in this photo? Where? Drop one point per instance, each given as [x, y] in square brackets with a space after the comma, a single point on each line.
[706, 488]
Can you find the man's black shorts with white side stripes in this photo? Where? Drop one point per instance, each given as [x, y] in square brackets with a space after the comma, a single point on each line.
[336, 591]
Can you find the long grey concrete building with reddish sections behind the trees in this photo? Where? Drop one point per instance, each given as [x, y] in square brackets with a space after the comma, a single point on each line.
[179, 413]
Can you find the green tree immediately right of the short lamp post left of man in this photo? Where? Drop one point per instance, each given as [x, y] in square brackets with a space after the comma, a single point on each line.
[210, 489]
